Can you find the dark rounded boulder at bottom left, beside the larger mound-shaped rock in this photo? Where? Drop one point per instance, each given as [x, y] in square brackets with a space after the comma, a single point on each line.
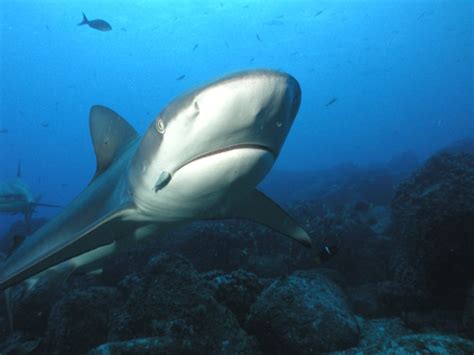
[80, 320]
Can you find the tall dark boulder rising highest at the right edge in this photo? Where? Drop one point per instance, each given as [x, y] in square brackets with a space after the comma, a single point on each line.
[433, 216]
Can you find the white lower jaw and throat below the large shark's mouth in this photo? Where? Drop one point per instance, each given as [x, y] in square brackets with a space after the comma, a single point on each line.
[205, 188]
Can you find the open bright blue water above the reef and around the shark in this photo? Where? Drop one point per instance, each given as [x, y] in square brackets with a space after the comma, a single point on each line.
[402, 73]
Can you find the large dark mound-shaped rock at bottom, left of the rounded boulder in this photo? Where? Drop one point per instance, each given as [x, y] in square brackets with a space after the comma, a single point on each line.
[170, 300]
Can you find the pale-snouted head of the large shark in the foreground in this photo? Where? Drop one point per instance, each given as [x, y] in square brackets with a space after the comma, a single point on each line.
[223, 137]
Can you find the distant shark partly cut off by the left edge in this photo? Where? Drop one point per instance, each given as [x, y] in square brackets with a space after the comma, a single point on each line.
[16, 197]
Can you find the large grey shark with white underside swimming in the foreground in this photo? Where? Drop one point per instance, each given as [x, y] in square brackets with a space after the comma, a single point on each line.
[201, 158]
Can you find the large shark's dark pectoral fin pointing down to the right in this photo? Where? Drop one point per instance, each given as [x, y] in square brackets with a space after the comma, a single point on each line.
[261, 209]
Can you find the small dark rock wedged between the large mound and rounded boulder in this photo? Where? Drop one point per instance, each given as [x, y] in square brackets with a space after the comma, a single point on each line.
[237, 291]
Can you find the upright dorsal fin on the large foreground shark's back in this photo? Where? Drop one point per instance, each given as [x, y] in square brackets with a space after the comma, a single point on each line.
[110, 133]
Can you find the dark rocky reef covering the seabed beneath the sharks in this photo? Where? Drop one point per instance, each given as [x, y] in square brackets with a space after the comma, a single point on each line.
[402, 280]
